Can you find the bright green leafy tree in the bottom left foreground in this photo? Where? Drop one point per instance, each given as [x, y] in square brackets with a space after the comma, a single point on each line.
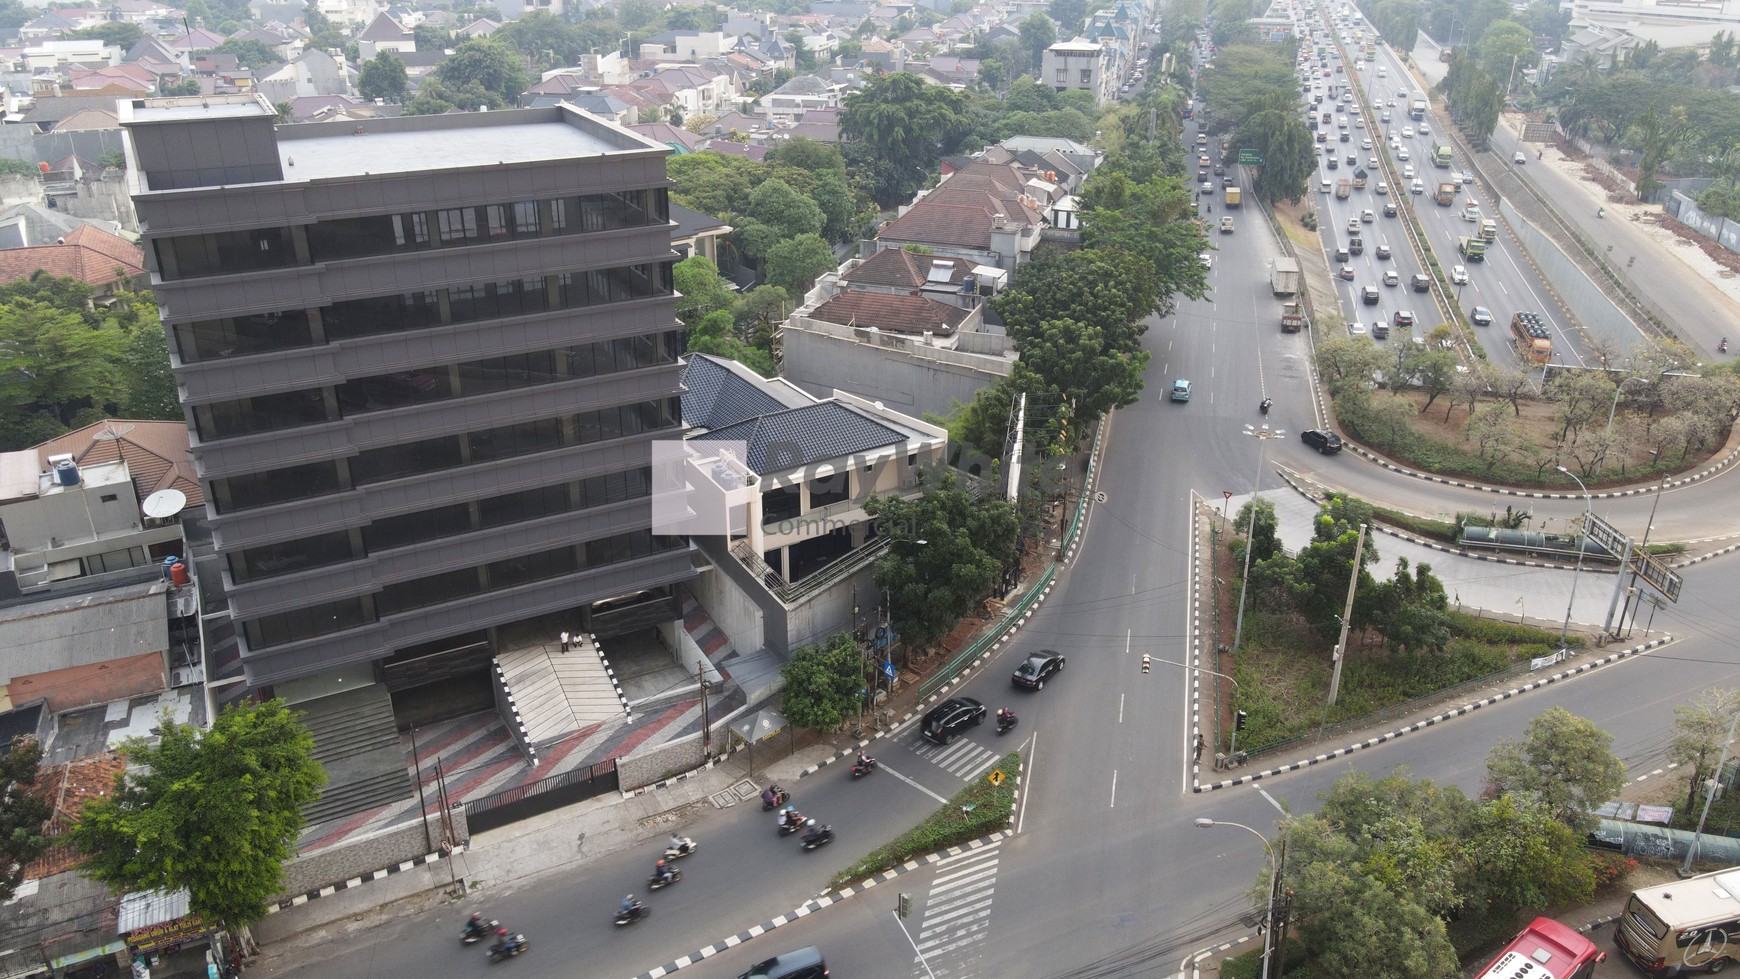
[215, 813]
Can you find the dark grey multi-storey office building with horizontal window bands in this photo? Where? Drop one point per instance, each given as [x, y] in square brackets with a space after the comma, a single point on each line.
[422, 363]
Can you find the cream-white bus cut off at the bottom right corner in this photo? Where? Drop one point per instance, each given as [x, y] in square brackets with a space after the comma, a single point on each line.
[1689, 926]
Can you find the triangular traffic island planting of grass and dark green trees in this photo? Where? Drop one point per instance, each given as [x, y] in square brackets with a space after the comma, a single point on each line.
[1405, 639]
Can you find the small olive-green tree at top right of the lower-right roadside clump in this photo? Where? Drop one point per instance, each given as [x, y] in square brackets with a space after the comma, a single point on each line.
[1563, 761]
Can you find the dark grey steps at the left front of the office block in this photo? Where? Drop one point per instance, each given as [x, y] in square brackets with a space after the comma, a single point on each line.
[358, 743]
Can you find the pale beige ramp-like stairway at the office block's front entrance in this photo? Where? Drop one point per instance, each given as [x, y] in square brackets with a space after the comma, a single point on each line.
[559, 693]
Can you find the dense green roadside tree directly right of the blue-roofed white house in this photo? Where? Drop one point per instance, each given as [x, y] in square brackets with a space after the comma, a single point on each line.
[968, 543]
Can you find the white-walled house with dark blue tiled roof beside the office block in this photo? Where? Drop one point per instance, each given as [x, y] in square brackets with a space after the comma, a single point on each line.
[798, 564]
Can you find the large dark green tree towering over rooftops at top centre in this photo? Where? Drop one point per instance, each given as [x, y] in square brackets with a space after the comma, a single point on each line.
[899, 128]
